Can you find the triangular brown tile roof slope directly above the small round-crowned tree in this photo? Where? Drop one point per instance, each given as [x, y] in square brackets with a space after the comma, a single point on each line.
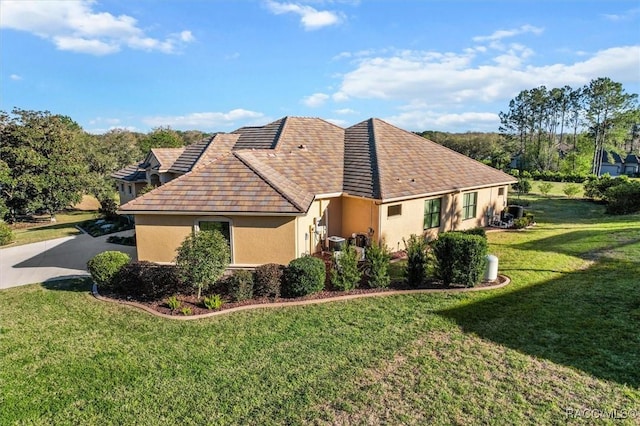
[226, 185]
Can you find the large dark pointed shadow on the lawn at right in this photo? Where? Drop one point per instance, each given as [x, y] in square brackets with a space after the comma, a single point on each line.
[587, 319]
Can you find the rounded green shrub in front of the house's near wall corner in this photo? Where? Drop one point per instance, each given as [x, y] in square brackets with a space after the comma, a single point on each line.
[303, 276]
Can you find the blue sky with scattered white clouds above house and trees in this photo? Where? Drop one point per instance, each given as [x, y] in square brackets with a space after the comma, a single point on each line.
[218, 65]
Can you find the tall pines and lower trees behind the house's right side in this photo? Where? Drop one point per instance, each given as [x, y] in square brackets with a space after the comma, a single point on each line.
[556, 130]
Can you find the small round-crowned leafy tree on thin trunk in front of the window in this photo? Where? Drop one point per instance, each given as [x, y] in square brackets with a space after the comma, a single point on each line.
[202, 259]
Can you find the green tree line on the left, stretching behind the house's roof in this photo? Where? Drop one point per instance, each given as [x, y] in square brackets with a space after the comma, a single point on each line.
[47, 161]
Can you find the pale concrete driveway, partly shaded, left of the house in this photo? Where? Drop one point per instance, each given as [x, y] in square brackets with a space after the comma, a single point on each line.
[54, 259]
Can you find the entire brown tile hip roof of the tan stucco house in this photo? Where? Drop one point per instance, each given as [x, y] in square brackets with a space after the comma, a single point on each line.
[280, 167]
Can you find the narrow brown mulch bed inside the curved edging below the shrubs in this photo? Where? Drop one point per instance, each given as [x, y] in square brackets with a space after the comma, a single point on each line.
[197, 308]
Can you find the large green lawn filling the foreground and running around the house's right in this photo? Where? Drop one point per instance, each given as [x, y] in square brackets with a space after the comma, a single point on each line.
[562, 336]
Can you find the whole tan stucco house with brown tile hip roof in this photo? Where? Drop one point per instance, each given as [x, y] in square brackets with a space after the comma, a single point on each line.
[281, 190]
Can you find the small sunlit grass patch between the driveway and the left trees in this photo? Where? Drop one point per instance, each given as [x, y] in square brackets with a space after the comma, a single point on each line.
[65, 226]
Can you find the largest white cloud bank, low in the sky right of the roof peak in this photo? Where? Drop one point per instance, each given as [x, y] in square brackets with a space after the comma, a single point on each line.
[455, 79]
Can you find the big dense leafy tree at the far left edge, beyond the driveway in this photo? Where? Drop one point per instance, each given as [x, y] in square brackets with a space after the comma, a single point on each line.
[45, 161]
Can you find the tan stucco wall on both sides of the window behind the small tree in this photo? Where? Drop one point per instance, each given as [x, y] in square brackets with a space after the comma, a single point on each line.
[255, 240]
